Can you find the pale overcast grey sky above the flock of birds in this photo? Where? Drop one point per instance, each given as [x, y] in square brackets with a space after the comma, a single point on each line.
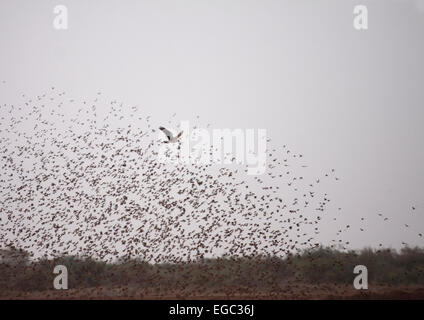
[346, 99]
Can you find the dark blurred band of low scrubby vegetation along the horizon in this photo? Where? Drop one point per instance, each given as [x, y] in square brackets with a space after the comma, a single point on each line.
[317, 266]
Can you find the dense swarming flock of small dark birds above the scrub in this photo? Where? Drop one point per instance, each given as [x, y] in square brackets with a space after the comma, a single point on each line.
[82, 177]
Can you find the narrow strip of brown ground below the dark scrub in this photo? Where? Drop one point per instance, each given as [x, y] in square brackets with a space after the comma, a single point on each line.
[300, 292]
